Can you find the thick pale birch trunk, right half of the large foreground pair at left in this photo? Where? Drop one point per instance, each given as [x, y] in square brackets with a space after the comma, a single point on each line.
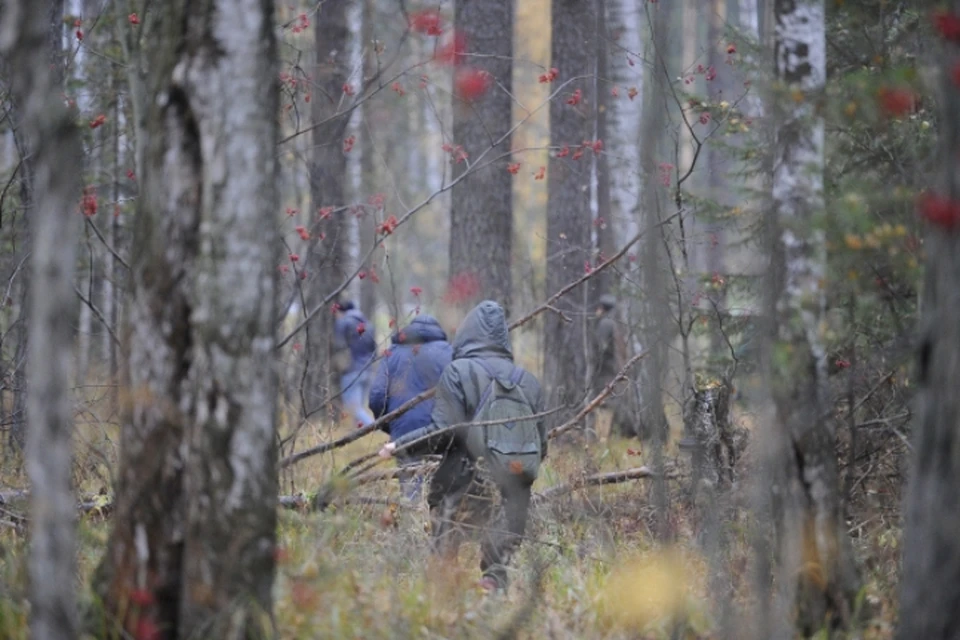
[231, 476]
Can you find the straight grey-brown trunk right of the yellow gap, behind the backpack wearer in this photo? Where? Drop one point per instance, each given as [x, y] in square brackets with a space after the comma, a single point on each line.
[568, 203]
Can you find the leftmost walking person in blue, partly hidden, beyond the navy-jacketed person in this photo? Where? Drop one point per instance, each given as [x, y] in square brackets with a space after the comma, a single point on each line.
[354, 351]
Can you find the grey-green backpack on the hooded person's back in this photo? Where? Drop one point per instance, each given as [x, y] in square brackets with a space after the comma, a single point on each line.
[510, 448]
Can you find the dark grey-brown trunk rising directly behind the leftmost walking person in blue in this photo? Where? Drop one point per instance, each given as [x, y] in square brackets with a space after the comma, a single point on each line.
[325, 263]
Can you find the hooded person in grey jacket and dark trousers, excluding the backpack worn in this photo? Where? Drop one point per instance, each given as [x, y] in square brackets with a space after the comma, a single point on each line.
[464, 496]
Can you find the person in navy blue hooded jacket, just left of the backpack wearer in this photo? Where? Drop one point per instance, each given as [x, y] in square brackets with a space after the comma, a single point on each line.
[417, 356]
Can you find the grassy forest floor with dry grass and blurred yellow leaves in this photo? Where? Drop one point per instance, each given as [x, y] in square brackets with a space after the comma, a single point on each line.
[589, 568]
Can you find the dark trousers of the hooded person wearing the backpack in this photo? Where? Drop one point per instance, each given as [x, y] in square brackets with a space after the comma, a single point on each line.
[466, 504]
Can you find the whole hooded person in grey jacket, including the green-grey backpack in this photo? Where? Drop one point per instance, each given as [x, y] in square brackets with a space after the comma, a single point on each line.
[488, 468]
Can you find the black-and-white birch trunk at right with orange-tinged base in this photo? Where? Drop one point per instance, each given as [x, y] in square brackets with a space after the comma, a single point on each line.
[817, 548]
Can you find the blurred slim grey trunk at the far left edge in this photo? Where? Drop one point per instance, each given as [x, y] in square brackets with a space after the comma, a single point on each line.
[31, 40]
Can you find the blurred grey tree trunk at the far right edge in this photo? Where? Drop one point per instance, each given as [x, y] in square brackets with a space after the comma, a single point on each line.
[930, 592]
